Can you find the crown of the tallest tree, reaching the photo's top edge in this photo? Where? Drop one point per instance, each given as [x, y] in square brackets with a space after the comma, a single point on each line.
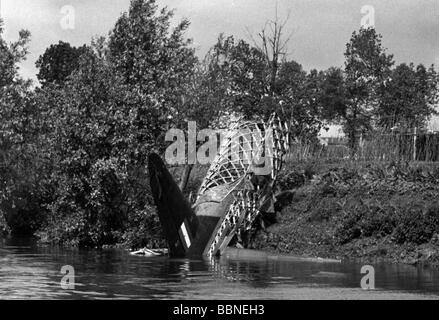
[151, 57]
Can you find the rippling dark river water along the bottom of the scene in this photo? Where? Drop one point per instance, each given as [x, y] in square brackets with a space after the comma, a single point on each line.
[28, 271]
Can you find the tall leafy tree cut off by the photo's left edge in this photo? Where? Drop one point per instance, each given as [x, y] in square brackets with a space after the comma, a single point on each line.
[19, 126]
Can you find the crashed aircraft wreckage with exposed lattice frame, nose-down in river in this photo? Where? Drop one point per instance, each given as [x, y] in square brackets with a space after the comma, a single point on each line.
[233, 194]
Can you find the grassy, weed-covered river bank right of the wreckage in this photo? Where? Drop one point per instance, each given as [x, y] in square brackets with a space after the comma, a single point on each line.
[369, 211]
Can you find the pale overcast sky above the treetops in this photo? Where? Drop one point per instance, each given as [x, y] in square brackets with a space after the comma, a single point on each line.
[320, 28]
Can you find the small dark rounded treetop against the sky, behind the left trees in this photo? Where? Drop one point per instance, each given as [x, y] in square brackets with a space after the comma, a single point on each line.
[58, 62]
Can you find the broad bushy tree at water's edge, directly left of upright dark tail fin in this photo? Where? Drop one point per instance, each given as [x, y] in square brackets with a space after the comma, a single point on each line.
[100, 152]
